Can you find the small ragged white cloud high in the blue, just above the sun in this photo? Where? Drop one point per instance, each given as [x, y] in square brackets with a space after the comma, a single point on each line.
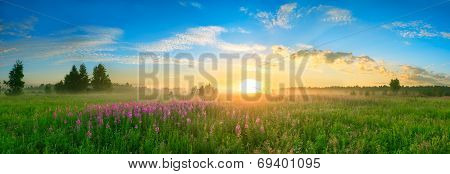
[282, 18]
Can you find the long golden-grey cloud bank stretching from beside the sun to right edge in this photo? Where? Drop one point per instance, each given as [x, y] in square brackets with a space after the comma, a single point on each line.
[347, 62]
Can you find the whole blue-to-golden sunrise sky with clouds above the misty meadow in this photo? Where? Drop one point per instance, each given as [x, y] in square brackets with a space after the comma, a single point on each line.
[345, 42]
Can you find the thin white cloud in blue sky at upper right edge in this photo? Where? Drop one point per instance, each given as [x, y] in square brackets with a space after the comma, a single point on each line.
[415, 29]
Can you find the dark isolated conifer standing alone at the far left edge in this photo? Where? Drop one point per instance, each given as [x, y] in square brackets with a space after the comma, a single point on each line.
[15, 82]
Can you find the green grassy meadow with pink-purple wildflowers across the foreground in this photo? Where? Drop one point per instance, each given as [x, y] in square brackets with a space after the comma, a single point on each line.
[113, 123]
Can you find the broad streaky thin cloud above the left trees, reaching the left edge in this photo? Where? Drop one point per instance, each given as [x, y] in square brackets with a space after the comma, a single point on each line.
[82, 43]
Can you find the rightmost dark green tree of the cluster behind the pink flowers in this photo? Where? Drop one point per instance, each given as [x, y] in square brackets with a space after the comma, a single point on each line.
[100, 80]
